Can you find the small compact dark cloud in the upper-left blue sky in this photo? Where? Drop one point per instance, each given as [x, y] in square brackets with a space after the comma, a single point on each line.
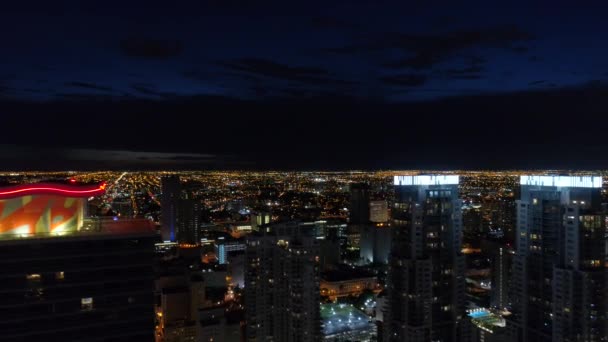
[151, 48]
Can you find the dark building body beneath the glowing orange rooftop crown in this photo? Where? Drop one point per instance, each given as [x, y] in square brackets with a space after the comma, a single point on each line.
[95, 284]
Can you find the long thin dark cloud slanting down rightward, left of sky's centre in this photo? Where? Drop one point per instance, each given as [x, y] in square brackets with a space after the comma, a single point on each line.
[267, 68]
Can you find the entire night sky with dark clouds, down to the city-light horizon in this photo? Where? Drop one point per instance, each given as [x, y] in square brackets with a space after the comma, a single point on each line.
[304, 85]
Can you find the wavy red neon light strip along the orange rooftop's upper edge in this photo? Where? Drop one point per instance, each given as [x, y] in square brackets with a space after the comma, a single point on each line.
[52, 189]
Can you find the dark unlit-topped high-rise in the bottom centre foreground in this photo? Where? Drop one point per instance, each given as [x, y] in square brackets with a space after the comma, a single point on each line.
[282, 284]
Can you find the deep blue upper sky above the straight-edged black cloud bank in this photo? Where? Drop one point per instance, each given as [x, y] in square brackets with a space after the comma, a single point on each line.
[393, 51]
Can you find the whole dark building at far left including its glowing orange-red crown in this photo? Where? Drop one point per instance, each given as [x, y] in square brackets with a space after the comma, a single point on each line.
[66, 277]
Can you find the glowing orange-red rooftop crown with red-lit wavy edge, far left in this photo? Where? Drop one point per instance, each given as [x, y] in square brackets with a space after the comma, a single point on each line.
[42, 208]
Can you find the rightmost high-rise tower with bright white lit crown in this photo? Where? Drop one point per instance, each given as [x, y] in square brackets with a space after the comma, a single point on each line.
[559, 274]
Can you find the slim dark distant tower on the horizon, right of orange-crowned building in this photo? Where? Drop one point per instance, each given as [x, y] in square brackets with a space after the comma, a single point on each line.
[170, 196]
